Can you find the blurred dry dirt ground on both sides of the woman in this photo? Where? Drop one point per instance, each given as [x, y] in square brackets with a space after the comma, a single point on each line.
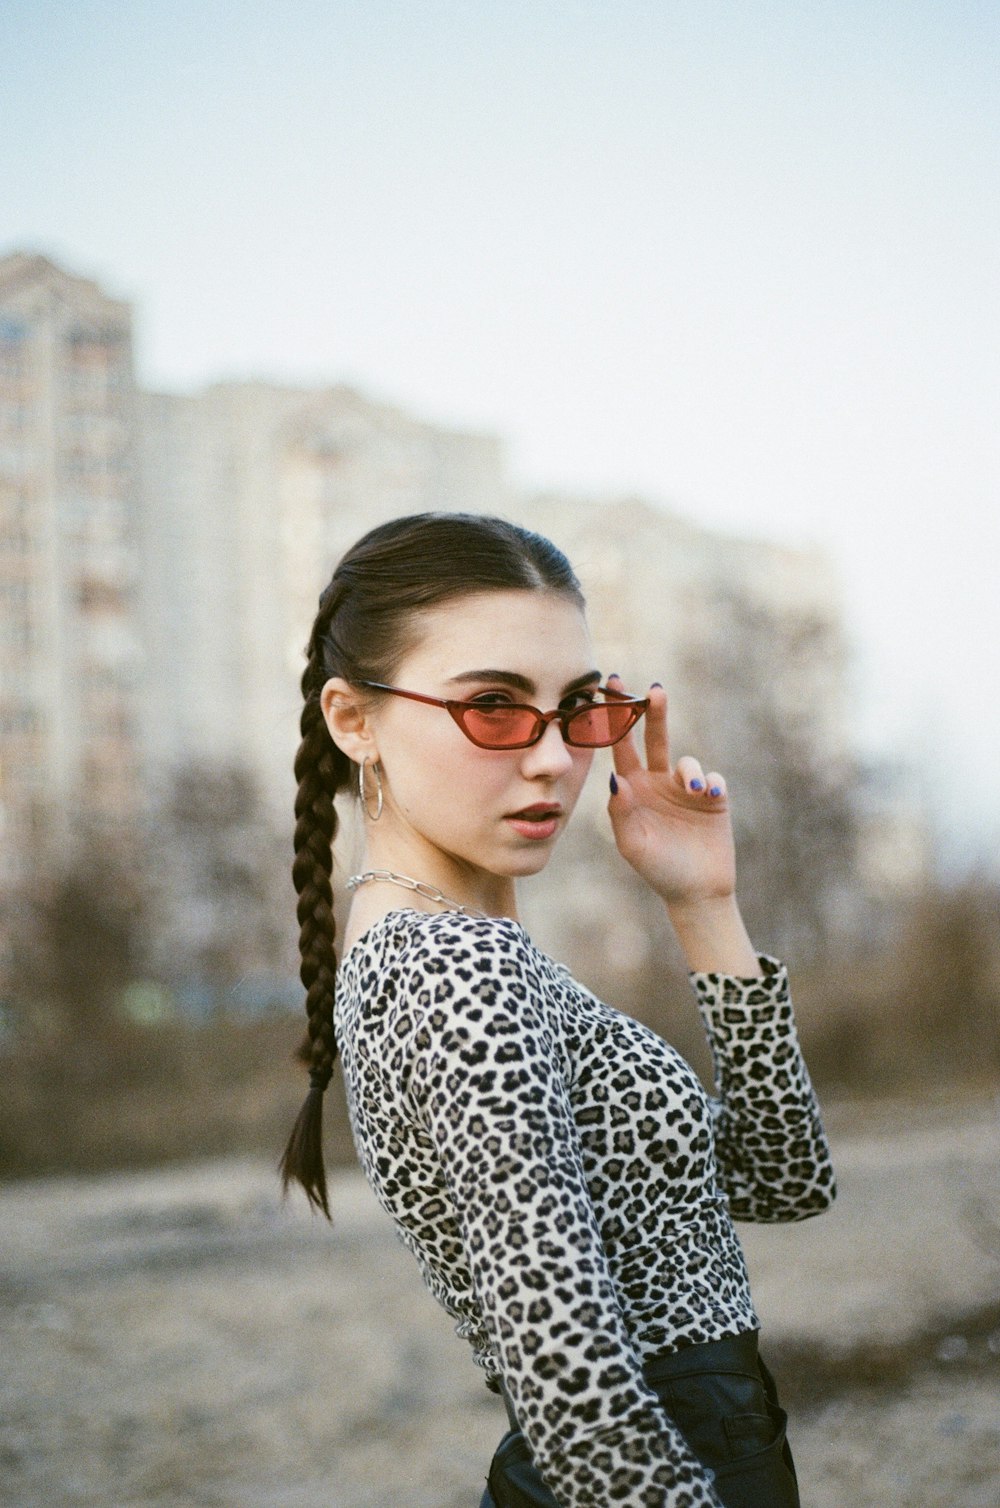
[182, 1338]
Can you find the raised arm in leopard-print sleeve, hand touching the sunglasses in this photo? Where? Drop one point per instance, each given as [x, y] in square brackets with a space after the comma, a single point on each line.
[673, 826]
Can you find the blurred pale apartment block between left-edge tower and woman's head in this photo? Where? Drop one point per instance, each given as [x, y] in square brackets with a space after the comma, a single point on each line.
[251, 492]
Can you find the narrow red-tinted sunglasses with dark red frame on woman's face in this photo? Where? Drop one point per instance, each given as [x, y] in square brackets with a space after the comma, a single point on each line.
[514, 726]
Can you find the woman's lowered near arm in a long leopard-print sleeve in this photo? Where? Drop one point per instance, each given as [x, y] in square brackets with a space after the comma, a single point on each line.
[488, 1085]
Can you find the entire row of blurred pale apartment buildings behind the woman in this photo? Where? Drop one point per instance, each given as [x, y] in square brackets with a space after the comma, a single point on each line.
[162, 556]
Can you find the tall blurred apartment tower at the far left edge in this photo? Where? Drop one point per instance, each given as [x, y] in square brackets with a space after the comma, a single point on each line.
[70, 651]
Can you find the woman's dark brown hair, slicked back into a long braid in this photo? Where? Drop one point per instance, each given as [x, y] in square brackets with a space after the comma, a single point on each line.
[369, 619]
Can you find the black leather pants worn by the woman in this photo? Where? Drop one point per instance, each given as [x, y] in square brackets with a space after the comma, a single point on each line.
[722, 1399]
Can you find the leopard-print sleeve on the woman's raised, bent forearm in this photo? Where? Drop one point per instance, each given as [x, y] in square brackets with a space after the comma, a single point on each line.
[770, 1142]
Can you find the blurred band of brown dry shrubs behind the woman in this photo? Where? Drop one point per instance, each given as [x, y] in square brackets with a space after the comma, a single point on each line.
[88, 1088]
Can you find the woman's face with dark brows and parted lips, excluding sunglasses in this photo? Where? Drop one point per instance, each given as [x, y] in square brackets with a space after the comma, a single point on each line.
[459, 815]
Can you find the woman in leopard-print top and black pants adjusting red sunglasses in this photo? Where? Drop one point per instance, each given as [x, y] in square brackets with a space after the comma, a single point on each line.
[556, 1168]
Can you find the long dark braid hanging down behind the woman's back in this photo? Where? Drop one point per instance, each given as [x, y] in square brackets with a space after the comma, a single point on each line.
[316, 827]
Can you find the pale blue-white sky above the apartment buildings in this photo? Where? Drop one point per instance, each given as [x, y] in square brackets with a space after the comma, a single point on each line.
[737, 257]
